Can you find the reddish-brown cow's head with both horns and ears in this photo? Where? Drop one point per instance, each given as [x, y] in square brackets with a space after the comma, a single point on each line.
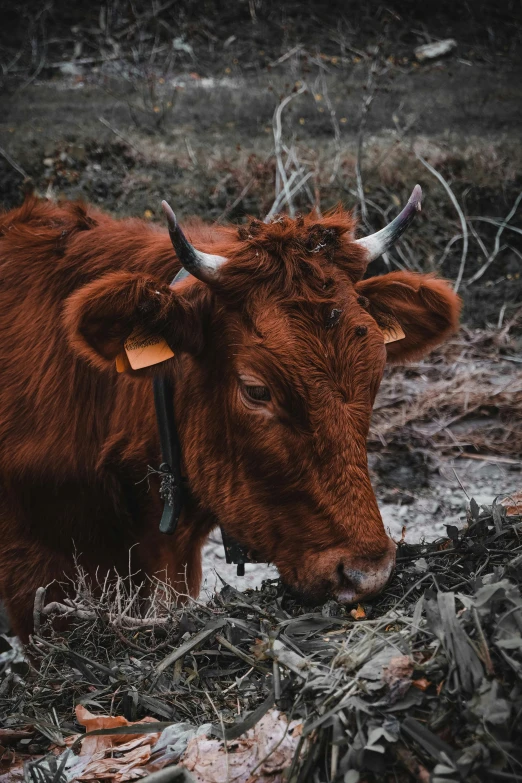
[280, 347]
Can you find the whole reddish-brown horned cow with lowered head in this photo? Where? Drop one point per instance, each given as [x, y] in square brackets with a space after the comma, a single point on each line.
[279, 352]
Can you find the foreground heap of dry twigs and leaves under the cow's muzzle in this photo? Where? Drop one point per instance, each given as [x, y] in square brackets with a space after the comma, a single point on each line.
[427, 680]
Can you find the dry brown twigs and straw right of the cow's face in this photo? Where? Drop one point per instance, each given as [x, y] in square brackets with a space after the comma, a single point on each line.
[465, 398]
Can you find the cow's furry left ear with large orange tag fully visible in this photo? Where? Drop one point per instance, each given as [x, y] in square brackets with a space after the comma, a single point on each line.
[135, 321]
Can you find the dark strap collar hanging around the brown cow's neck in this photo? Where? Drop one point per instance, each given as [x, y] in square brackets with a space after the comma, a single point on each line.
[172, 487]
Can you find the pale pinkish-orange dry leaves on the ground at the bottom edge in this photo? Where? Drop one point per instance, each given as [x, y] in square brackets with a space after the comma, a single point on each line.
[260, 755]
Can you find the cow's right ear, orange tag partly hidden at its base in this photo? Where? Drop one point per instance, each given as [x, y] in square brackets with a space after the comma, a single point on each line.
[415, 312]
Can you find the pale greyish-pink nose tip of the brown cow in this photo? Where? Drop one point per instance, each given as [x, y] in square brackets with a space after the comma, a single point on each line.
[358, 579]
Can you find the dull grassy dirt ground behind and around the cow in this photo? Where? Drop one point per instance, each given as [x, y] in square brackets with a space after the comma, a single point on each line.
[124, 105]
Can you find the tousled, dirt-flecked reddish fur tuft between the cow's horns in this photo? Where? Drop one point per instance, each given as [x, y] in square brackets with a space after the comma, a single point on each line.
[298, 259]
